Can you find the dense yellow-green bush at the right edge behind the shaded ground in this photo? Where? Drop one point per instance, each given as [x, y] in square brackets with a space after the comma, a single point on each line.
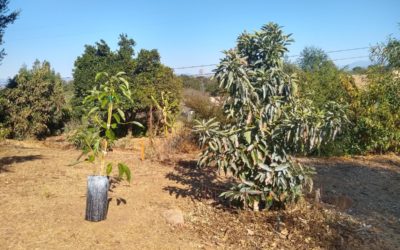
[377, 123]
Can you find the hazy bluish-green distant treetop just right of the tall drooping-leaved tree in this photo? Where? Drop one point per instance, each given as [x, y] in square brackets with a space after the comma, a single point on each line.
[312, 58]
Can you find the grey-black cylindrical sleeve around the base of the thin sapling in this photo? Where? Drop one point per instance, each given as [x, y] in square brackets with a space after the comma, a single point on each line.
[97, 198]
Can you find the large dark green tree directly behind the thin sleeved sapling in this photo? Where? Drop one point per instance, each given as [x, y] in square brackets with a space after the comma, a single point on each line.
[146, 73]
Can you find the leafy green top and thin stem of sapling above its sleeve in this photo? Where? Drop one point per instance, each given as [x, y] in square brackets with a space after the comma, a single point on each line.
[103, 117]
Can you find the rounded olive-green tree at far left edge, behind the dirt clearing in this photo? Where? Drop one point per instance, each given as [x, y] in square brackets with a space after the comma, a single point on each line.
[34, 102]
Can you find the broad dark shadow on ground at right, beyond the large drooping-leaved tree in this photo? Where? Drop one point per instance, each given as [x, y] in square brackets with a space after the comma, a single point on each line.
[366, 189]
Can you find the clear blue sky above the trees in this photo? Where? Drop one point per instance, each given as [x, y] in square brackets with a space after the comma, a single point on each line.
[189, 32]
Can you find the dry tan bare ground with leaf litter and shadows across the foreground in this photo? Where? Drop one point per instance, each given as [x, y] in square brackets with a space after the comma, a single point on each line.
[42, 204]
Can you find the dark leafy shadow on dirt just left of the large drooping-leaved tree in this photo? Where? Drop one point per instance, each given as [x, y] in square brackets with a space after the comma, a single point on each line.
[196, 183]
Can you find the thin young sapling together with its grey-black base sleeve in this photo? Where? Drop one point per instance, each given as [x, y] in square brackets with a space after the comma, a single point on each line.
[104, 115]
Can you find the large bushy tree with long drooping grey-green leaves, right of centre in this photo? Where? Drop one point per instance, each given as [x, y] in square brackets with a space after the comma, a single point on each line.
[267, 122]
